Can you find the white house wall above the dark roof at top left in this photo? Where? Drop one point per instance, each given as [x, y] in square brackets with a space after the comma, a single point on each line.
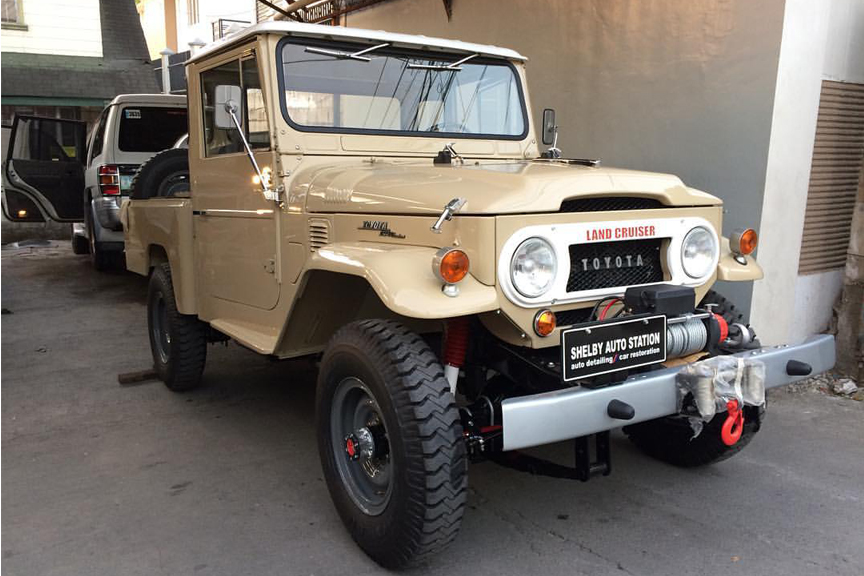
[63, 27]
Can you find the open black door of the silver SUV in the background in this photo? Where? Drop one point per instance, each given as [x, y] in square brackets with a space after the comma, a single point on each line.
[45, 164]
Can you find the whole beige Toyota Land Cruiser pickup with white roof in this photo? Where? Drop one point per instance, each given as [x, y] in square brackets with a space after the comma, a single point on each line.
[379, 202]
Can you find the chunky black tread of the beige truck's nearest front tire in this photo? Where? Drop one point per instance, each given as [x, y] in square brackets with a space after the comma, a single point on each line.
[431, 428]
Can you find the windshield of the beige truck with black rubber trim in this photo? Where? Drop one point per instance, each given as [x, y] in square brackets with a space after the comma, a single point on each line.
[358, 89]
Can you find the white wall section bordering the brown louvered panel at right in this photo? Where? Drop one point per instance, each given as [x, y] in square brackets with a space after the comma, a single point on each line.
[821, 40]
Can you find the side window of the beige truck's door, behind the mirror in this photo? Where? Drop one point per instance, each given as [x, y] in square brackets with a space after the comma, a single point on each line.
[243, 73]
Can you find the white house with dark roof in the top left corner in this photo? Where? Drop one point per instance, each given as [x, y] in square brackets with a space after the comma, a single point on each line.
[68, 58]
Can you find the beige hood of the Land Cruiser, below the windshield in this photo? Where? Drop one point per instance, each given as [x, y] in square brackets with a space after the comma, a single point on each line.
[491, 187]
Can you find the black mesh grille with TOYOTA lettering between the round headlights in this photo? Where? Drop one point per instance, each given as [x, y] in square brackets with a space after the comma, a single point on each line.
[612, 264]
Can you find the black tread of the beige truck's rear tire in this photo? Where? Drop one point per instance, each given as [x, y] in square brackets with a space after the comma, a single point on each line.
[188, 339]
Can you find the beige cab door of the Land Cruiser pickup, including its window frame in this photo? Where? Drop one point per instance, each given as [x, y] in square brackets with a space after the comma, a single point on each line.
[235, 226]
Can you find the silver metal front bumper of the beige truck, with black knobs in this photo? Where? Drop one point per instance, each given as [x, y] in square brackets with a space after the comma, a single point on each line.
[565, 414]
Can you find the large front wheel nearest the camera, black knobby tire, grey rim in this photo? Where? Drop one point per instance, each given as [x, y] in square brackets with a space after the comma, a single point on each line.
[403, 495]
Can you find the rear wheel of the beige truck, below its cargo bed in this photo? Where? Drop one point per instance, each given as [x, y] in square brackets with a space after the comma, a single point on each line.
[178, 341]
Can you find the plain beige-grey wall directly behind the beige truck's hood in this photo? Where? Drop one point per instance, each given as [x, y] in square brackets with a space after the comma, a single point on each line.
[663, 85]
